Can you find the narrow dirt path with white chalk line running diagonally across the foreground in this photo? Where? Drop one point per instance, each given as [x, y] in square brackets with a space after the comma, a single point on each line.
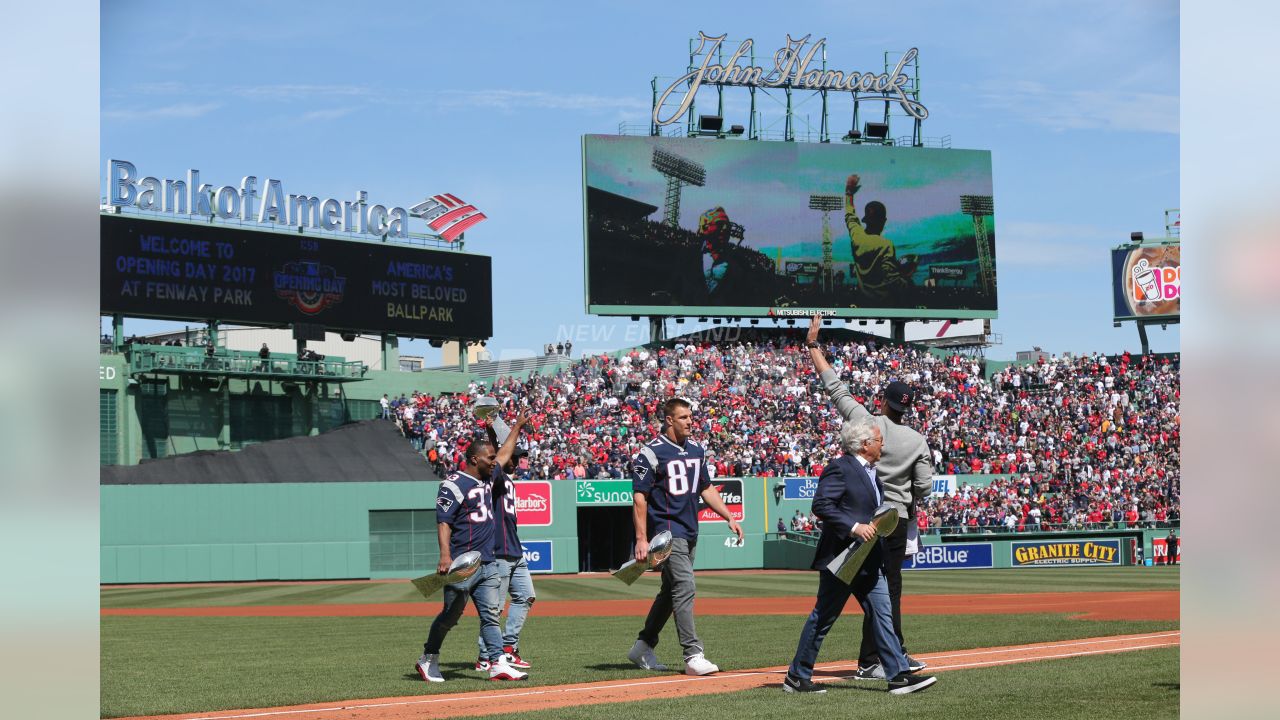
[515, 700]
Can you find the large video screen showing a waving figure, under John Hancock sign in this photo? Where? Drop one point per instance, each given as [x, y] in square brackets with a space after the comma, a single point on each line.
[747, 229]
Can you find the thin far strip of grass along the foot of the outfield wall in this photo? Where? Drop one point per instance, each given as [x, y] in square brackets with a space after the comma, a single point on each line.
[710, 585]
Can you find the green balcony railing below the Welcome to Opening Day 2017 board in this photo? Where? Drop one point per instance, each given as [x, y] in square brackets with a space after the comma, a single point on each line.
[196, 361]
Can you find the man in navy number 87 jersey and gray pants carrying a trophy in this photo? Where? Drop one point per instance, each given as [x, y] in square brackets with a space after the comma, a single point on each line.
[668, 479]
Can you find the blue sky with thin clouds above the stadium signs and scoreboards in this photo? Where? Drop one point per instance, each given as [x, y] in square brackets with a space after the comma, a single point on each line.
[1077, 102]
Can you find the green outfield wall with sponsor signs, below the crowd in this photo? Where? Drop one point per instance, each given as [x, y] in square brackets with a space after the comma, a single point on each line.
[186, 534]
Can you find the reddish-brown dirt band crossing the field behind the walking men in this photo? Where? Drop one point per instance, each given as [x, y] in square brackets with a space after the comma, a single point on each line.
[1146, 605]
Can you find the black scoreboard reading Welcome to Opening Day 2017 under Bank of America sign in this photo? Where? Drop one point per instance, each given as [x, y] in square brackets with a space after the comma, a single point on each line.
[205, 272]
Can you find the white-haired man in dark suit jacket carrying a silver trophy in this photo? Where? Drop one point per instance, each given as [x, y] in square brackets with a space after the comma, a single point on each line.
[847, 500]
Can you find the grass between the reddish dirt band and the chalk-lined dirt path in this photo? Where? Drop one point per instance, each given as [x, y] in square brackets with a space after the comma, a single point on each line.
[162, 666]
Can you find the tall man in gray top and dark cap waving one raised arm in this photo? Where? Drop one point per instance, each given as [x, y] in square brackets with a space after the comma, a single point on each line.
[907, 471]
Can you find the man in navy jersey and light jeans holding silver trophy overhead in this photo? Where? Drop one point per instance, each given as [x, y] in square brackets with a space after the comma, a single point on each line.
[513, 568]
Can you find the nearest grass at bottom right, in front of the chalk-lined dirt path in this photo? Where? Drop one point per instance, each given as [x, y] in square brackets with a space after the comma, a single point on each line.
[1130, 685]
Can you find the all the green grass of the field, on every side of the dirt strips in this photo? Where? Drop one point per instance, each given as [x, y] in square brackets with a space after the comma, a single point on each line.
[153, 666]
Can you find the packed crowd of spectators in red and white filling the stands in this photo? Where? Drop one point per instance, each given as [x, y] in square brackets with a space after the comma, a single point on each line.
[1080, 441]
